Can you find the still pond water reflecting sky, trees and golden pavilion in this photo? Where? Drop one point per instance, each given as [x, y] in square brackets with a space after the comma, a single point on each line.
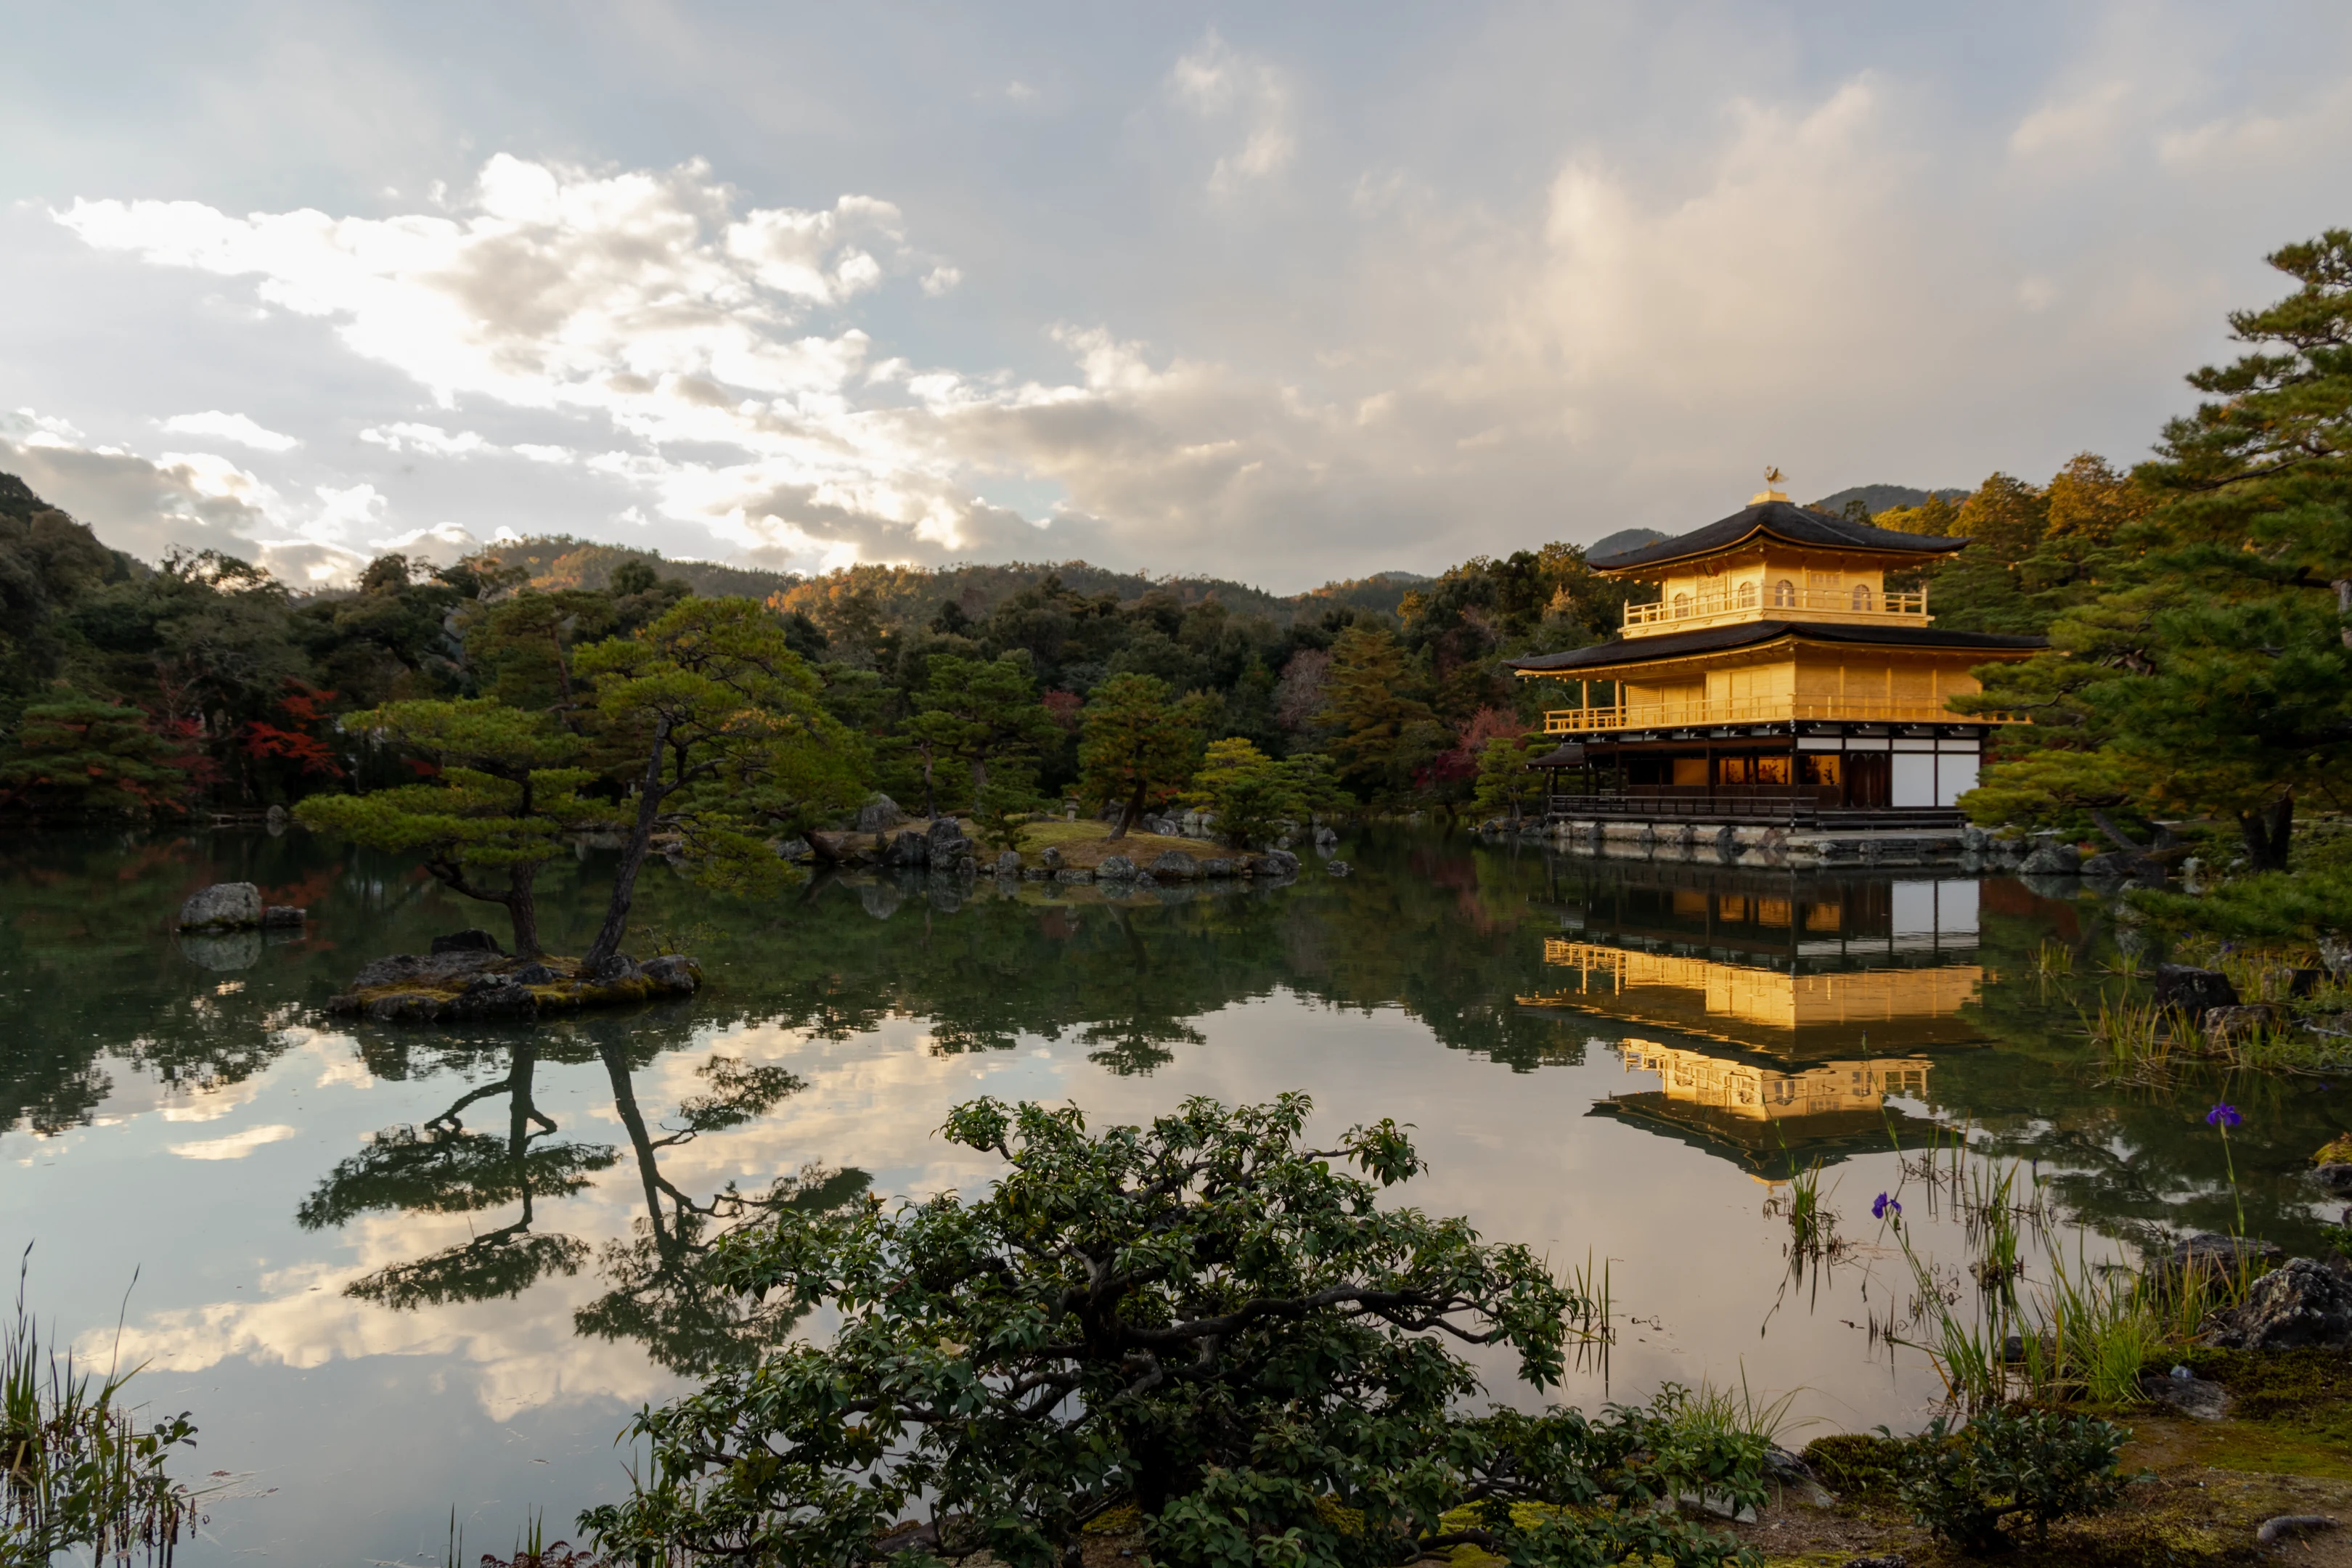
[408, 1273]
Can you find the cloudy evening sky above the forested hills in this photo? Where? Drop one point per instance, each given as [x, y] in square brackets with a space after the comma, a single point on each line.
[1278, 293]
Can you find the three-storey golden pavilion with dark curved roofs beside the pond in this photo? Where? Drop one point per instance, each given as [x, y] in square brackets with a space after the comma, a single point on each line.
[1777, 678]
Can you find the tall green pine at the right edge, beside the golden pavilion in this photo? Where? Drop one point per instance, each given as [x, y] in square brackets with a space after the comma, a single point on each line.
[2214, 676]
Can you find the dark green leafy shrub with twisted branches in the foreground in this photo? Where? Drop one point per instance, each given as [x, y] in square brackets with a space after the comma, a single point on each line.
[1203, 1322]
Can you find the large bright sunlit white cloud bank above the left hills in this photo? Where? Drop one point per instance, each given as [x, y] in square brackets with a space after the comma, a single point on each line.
[639, 302]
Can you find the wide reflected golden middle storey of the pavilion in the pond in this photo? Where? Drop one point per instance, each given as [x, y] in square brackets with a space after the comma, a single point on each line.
[1765, 1010]
